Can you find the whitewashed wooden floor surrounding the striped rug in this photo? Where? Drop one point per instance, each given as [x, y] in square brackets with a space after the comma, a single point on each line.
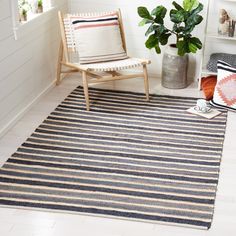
[16, 222]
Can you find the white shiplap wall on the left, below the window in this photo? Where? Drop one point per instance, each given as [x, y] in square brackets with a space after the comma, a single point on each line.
[27, 65]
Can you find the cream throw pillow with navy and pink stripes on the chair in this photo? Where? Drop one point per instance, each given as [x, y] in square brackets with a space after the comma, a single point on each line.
[98, 38]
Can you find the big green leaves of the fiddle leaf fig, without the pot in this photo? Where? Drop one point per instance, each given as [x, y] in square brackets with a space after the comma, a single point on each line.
[184, 18]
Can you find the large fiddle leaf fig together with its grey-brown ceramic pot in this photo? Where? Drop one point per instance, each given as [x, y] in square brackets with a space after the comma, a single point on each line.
[185, 18]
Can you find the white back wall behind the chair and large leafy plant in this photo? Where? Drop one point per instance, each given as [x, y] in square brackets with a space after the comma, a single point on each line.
[134, 34]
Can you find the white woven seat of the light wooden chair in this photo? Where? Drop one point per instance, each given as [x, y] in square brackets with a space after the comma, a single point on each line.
[115, 65]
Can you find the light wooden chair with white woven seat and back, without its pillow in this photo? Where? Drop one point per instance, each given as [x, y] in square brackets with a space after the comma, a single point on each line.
[94, 73]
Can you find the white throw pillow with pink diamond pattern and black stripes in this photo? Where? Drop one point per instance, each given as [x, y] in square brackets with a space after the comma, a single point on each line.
[225, 90]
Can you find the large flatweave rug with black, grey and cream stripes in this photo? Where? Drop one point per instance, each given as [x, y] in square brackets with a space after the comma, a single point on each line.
[127, 158]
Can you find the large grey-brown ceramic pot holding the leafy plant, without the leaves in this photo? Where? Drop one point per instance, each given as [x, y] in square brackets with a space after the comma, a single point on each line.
[174, 69]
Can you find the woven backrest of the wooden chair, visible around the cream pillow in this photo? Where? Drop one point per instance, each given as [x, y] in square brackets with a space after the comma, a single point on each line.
[67, 36]
